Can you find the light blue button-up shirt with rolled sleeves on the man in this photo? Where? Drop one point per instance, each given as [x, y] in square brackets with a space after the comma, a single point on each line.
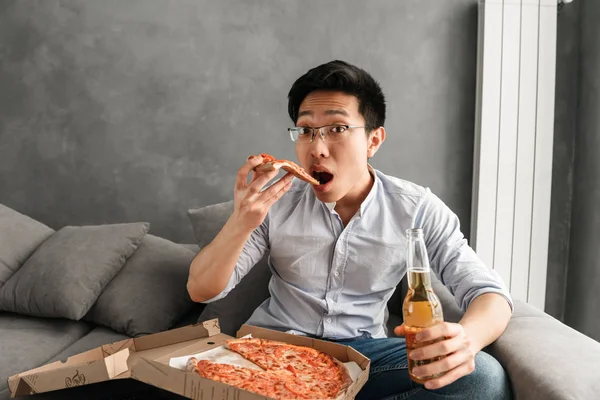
[333, 281]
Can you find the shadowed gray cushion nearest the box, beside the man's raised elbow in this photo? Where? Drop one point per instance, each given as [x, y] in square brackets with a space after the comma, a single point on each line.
[149, 294]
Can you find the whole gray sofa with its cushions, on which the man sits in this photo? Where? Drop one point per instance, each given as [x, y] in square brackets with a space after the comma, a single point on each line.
[144, 292]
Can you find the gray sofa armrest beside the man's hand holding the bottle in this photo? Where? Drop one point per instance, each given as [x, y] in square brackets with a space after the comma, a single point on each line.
[546, 359]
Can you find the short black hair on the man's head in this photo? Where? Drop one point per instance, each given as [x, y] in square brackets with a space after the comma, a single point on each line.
[343, 77]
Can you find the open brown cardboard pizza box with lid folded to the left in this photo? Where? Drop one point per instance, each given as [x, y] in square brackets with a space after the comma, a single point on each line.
[146, 359]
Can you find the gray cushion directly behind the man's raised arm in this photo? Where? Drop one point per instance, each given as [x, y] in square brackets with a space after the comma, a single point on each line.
[234, 309]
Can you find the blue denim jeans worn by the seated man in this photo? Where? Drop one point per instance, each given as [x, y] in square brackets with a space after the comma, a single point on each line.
[389, 380]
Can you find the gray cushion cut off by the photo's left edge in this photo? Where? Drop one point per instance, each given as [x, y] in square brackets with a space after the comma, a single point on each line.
[19, 237]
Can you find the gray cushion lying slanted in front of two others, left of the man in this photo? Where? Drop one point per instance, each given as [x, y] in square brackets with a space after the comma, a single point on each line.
[66, 274]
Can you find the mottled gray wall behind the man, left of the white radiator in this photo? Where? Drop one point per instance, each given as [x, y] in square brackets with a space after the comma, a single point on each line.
[114, 111]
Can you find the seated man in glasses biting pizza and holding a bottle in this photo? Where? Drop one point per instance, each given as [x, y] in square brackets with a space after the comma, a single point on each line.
[337, 250]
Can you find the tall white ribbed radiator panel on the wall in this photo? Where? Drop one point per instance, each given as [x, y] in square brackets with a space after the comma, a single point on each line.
[513, 142]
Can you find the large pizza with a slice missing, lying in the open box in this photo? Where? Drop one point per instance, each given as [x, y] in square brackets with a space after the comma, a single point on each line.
[287, 371]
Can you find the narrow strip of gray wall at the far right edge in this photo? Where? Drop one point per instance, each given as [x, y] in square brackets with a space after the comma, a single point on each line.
[583, 282]
